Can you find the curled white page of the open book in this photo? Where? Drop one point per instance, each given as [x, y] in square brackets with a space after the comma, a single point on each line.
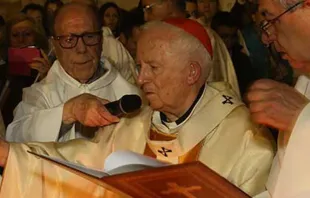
[119, 159]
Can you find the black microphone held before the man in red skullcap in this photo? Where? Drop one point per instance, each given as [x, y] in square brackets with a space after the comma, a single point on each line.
[126, 105]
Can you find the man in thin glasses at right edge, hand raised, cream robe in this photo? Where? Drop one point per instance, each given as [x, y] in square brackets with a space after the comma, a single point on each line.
[286, 25]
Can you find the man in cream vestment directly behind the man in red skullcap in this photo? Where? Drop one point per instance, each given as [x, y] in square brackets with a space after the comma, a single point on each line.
[223, 68]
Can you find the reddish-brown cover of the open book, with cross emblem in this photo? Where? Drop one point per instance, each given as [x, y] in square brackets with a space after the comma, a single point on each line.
[192, 180]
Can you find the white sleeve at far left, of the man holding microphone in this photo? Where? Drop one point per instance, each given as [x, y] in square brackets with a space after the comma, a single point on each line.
[34, 120]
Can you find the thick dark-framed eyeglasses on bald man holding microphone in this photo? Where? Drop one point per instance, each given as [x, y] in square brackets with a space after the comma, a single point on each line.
[70, 41]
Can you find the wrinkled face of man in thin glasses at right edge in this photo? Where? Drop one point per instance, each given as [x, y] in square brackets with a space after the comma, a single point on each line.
[288, 34]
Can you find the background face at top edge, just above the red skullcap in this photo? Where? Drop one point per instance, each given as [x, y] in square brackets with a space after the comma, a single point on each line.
[207, 8]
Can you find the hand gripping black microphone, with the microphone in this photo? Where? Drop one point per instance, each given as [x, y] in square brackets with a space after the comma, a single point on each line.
[93, 111]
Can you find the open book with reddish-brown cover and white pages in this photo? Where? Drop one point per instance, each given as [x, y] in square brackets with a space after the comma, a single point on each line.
[130, 174]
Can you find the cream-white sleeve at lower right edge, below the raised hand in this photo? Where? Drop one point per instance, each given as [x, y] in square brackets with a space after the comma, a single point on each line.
[294, 176]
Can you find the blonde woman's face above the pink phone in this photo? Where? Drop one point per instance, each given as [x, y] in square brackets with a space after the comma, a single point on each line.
[22, 35]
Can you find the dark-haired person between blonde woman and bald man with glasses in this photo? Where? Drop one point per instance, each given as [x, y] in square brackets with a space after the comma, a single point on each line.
[36, 12]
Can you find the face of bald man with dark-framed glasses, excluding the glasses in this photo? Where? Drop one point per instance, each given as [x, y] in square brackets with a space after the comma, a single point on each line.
[81, 61]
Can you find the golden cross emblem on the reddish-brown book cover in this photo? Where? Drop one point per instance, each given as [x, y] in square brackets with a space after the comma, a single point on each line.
[174, 188]
